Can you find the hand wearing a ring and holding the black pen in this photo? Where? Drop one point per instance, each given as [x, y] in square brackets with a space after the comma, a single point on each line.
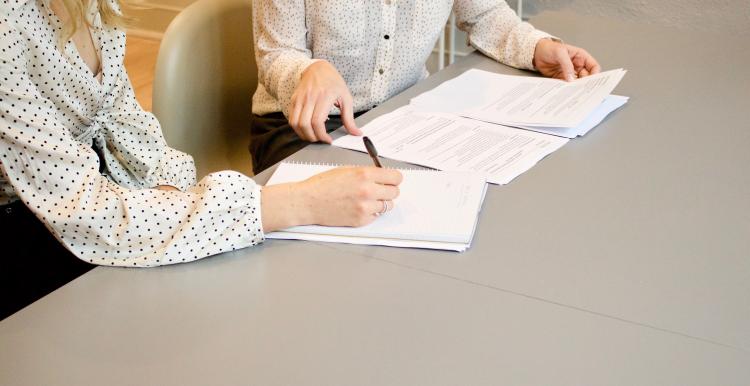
[348, 196]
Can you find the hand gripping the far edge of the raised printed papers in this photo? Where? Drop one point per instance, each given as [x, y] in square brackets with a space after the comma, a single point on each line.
[562, 61]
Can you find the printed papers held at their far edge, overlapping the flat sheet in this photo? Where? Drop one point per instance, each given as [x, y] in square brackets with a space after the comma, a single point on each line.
[567, 109]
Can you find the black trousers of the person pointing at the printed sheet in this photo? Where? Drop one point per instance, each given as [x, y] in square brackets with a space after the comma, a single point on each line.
[272, 139]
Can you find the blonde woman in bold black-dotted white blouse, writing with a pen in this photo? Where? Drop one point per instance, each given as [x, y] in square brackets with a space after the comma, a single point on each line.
[87, 177]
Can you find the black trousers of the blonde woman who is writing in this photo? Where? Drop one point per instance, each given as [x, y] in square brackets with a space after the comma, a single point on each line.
[33, 262]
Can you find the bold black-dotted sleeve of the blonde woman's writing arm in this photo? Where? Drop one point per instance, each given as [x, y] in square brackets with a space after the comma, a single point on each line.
[98, 220]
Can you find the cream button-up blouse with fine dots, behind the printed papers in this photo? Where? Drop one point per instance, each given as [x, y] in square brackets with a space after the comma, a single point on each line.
[379, 47]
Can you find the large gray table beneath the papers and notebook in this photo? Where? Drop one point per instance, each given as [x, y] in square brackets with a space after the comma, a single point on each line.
[621, 259]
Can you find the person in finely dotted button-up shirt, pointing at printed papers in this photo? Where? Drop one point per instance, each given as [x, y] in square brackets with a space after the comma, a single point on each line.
[322, 62]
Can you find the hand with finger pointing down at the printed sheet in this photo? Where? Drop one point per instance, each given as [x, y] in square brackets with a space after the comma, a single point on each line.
[320, 88]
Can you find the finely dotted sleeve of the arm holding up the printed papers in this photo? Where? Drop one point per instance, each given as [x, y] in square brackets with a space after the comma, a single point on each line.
[496, 30]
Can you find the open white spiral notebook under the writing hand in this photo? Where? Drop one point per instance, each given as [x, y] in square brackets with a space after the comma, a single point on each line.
[435, 210]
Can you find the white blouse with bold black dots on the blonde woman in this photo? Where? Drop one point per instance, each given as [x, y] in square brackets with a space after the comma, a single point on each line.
[83, 155]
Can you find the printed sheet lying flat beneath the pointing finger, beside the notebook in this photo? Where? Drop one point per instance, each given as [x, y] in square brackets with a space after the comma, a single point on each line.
[450, 142]
